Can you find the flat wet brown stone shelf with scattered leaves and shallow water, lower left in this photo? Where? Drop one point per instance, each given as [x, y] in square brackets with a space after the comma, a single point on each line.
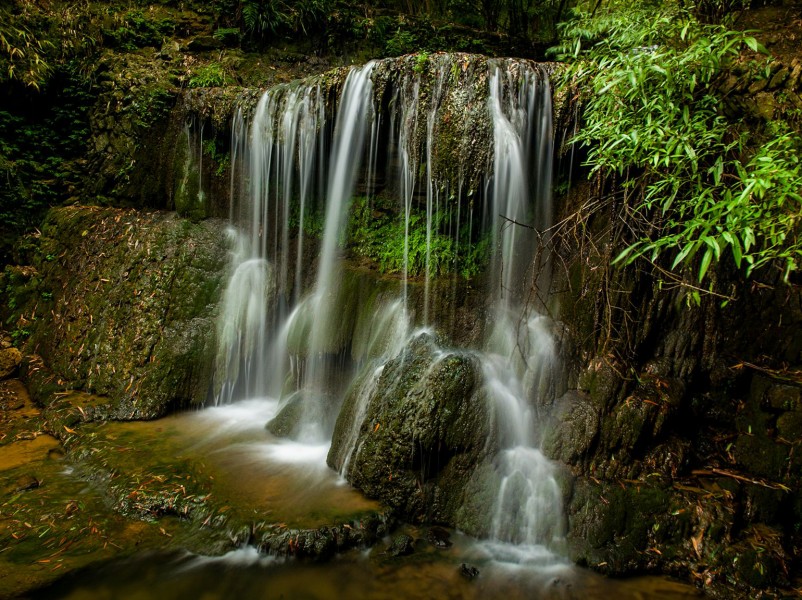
[107, 490]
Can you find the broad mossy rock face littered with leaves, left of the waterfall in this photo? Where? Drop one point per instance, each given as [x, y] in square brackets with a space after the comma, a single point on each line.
[124, 307]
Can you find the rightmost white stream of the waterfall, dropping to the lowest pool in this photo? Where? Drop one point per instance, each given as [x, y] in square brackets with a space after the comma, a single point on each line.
[520, 350]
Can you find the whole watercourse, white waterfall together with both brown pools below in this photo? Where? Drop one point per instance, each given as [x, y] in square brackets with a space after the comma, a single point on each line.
[296, 334]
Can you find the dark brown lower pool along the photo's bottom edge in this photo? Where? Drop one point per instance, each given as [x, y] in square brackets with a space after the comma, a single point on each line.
[427, 574]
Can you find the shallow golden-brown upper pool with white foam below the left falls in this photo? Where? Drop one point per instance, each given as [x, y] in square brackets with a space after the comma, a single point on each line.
[255, 476]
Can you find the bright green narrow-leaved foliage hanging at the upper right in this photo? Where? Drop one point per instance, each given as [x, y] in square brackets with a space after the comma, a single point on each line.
[694, 188]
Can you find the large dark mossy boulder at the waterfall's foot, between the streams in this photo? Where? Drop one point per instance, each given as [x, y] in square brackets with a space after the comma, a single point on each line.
[426, 428]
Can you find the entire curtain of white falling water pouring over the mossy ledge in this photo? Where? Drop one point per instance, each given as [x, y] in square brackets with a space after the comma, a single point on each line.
[384, 138]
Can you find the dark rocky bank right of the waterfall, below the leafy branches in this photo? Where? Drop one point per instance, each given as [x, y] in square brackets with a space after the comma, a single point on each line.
[682, 420]
